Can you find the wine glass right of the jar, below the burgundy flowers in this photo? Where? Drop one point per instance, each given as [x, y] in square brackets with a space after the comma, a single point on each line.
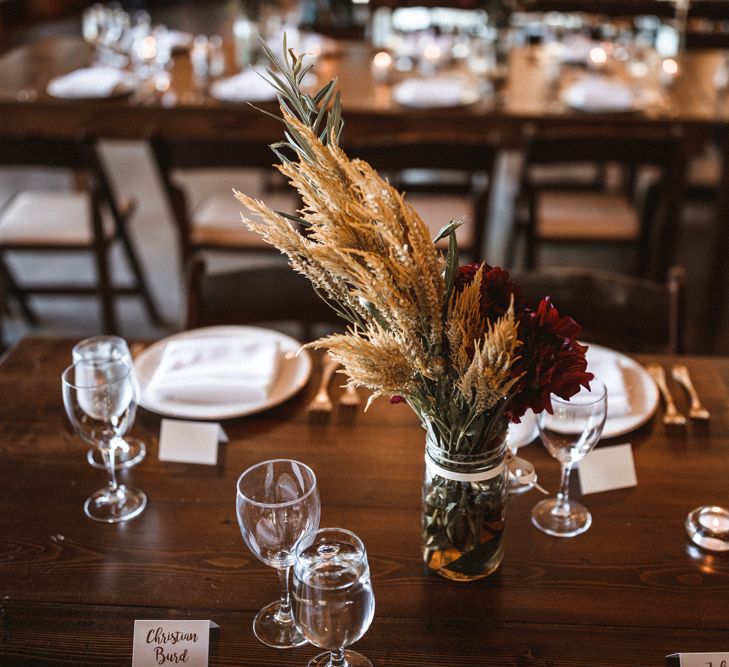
[569, 434]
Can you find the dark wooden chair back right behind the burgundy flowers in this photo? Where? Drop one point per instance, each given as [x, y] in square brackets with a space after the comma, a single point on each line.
[623, 312]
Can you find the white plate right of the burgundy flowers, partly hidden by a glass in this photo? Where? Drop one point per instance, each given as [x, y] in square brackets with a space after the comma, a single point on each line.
[642, 393]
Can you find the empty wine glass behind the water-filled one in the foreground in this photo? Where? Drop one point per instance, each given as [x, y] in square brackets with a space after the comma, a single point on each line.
[277, 504]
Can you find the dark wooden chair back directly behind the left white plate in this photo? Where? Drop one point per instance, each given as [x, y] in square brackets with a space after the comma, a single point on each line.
[247, 296]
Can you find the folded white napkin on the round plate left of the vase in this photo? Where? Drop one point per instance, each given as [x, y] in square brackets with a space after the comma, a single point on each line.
[216, 370]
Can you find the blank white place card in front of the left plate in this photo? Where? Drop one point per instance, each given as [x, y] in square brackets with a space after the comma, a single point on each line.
[190, 442]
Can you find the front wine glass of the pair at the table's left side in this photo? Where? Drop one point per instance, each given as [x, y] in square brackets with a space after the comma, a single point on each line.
[100, 402]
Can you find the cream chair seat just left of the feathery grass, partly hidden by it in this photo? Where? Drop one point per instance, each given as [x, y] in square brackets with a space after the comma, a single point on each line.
[217, 222]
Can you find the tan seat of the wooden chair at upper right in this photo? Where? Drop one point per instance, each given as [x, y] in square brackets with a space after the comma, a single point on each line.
[586, 216]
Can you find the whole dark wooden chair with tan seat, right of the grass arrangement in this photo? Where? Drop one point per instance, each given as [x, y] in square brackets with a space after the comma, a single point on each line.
[645, 217]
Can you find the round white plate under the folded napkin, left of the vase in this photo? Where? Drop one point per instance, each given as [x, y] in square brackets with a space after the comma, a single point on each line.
[293, 376]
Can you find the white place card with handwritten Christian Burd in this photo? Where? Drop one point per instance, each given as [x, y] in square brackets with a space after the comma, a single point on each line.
[171, 643]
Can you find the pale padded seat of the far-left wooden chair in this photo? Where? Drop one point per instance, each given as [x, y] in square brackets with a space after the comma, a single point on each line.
[37, 218]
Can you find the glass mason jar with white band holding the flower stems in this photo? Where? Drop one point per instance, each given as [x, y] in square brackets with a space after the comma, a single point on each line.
[464, 511]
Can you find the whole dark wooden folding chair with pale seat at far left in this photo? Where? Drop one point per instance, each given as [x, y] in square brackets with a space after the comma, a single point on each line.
[89, 219]
